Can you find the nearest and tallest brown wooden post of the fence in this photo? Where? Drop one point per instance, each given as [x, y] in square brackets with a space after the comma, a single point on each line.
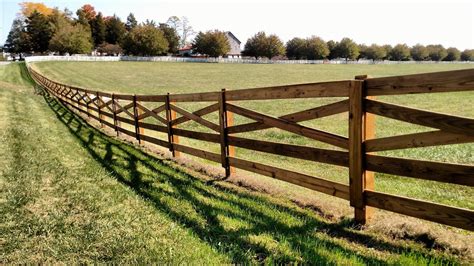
[361, 126]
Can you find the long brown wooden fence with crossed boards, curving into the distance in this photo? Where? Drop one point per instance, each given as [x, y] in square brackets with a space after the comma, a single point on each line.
[355, 152]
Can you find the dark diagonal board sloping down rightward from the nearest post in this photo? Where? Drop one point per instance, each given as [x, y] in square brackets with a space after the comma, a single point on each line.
[450, 123]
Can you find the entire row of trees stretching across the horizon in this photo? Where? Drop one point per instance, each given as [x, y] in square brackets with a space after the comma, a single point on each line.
[41, 29]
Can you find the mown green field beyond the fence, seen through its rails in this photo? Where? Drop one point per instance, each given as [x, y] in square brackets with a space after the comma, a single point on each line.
[163, 77]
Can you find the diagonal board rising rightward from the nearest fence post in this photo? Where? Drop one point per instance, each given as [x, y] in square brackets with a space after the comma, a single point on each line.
[416, 140]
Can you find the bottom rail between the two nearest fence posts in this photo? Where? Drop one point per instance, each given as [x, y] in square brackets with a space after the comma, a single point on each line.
[318, 184]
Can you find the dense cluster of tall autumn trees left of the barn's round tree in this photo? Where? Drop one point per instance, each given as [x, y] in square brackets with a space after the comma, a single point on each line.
[40, 29]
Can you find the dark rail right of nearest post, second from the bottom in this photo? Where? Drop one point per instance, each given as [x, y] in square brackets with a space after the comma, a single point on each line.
[442, 172]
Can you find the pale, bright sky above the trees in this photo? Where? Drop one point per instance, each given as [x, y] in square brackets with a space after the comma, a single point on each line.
[450, 23]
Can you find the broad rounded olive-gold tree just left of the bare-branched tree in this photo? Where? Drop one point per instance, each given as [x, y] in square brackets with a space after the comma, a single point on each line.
[145, 40]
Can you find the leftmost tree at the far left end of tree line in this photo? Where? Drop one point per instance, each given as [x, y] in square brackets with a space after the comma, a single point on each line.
[18, 40]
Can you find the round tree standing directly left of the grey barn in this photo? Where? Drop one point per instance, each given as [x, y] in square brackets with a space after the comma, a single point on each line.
[212, 43]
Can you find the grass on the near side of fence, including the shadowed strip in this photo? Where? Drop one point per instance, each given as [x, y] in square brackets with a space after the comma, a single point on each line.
[70, 193]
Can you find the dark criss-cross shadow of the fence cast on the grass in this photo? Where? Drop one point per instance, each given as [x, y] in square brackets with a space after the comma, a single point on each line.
[261, 231]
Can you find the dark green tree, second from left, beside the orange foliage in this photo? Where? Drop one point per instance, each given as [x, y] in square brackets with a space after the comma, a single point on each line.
[39, 30]
